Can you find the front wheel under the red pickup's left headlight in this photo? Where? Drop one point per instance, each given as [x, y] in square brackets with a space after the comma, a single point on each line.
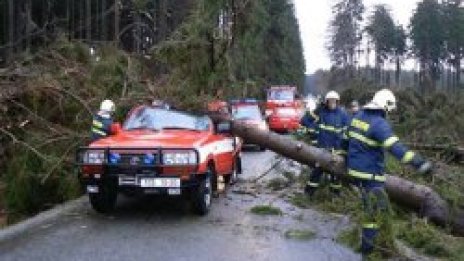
[105, 200]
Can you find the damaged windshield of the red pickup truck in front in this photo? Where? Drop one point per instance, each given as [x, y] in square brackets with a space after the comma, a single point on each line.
[157, 119]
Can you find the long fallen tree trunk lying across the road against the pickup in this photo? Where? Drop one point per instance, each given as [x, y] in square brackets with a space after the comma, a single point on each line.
[420, 198]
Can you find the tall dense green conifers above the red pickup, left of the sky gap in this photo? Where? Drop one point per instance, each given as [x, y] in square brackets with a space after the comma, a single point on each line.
[263, 47]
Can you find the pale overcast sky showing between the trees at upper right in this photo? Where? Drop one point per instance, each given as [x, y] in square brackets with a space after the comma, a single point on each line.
[314, 17]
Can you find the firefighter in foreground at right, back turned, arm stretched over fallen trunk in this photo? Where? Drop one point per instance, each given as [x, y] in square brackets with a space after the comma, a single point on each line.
[369, 135]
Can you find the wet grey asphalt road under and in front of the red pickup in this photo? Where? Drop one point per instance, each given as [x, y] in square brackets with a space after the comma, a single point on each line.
[153, 229]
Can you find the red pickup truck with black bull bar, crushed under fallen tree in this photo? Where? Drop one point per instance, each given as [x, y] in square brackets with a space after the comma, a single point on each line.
[162, 152]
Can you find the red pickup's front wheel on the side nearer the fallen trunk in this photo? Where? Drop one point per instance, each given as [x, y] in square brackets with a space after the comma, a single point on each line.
[203, 195]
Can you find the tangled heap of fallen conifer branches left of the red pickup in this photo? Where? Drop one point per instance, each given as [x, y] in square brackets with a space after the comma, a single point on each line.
[40, 169]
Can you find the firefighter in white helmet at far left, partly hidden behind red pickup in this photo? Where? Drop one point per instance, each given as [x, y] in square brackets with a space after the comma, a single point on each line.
[103, 120]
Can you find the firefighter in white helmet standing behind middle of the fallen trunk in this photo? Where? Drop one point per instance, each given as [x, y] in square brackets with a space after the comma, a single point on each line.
[331, 122]
